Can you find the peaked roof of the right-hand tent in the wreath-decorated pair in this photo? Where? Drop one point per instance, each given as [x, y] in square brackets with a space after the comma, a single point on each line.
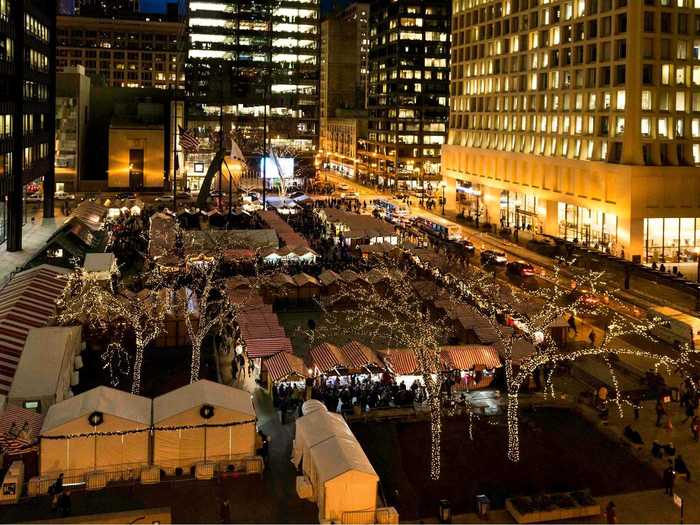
[200, 393]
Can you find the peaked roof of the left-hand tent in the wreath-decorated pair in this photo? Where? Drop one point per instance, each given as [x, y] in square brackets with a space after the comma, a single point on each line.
[102, 399]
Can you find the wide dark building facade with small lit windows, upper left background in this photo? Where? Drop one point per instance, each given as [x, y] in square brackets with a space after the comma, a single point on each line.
[136, 53]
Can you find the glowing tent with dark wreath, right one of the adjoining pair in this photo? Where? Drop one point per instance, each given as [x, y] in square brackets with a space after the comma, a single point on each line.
[227, 412]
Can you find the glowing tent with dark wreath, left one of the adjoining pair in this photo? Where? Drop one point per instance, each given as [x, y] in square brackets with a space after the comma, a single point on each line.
[76, 424]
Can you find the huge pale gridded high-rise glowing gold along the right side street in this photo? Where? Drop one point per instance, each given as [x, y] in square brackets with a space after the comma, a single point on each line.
[581, 120]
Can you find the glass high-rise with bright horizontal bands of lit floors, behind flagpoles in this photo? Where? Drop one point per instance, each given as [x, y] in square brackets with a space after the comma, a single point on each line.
[253, 73]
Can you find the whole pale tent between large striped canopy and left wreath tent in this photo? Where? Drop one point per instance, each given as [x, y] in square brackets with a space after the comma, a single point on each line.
[44, 373]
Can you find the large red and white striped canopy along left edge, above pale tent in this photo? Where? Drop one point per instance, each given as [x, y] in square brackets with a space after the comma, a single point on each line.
[26, 302]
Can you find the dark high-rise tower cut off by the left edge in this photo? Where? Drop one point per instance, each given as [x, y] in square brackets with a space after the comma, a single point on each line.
[27, 108]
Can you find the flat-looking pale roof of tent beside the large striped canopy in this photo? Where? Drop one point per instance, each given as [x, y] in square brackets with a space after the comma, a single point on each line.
[40, 365]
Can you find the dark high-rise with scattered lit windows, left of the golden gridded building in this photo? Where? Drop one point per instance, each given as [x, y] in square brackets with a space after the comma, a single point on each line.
[408, 92]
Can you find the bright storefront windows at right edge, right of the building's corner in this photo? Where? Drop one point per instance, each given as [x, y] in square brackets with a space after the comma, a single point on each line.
[671, 239]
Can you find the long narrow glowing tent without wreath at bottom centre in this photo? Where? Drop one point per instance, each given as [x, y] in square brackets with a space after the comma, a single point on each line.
[342, 477]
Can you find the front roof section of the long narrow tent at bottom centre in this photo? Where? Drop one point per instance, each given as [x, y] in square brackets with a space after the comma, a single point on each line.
[336, 456]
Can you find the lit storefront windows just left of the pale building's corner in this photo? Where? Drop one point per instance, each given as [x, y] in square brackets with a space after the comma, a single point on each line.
[593, 228]
